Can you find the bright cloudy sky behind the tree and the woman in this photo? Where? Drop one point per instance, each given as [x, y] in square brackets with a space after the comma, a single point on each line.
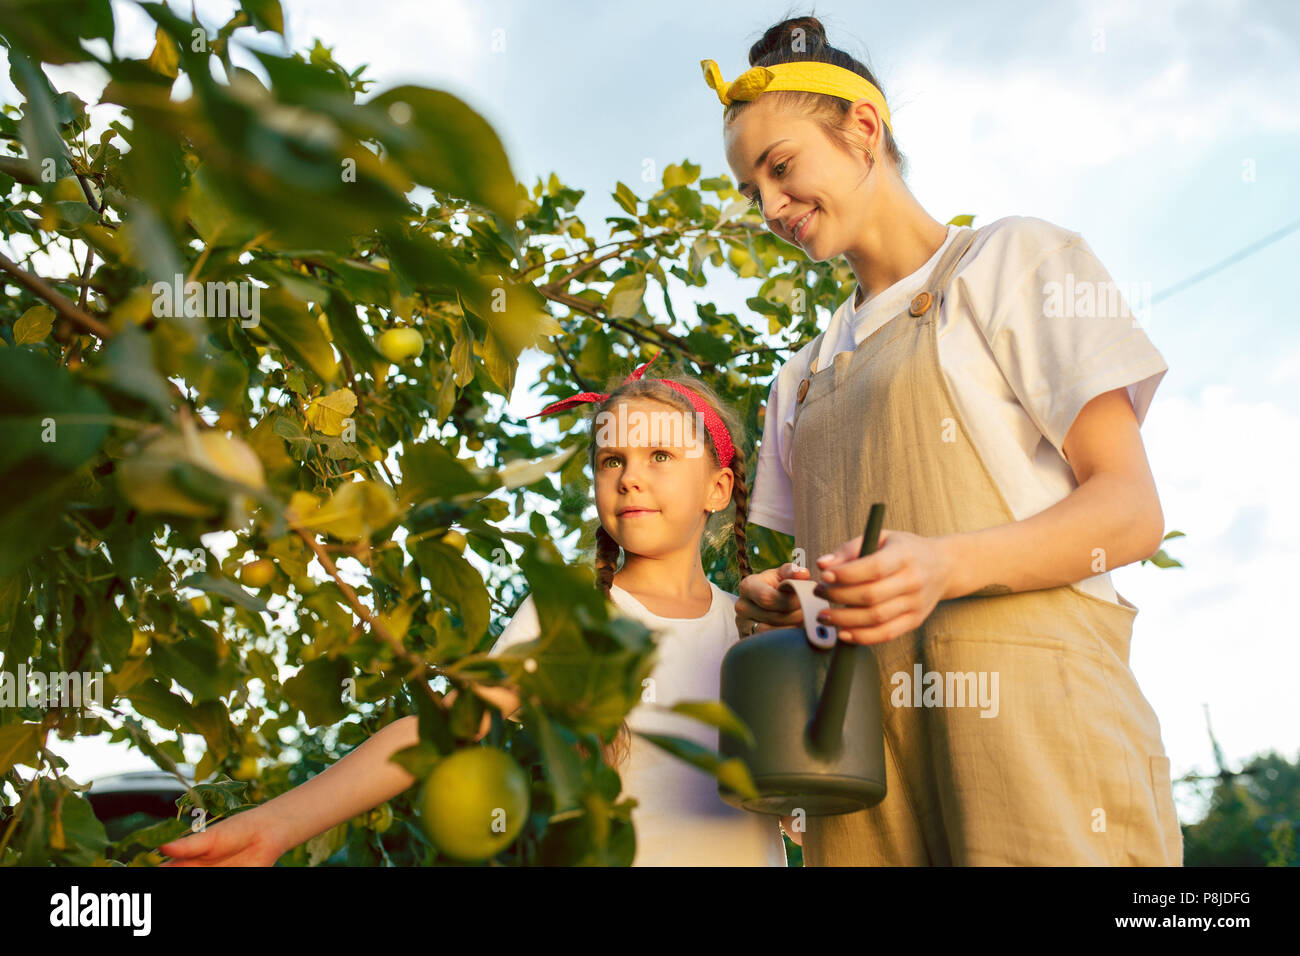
[1165, 133]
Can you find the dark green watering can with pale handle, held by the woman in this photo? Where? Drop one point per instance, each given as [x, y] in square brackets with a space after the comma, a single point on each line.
[813, 704]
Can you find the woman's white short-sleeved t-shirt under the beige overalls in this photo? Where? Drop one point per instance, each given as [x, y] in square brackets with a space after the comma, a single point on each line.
[1019, 371]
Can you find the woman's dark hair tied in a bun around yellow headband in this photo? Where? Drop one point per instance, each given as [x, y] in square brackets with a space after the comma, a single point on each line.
[804, 38]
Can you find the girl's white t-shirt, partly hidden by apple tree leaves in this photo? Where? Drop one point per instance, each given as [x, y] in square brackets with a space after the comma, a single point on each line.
[681, 820]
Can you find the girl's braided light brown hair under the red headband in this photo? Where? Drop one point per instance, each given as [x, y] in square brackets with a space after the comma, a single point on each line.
[608, 550]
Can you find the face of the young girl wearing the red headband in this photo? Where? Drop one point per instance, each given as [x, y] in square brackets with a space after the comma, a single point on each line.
[655, 481]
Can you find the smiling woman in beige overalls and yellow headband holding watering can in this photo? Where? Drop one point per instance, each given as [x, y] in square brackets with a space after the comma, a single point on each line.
[1003, 435]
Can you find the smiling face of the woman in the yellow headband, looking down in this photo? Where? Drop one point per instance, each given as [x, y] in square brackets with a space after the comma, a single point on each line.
[792, 168]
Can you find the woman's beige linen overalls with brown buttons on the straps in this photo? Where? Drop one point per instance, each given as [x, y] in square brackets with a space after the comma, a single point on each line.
[1072, 769]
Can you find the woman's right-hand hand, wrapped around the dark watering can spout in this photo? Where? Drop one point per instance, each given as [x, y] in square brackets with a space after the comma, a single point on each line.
[887, 594]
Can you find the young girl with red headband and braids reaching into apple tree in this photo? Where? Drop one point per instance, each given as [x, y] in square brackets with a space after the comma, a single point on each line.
[664, 462]
